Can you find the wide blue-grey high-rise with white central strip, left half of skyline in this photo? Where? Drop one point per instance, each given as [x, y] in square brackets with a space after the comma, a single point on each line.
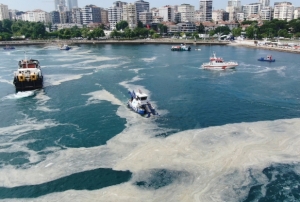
[91, 14]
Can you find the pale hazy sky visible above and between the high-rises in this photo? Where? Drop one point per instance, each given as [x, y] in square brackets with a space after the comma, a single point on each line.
[48, 5]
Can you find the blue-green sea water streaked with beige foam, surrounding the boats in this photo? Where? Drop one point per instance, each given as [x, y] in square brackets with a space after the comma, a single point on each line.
[221, 135]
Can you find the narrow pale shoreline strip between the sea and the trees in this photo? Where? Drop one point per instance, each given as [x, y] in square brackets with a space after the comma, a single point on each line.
[247, 44]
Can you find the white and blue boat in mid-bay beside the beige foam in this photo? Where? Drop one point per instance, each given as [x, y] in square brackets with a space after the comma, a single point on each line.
[140, 104]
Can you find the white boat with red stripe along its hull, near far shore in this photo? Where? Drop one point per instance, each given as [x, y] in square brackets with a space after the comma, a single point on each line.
[218, 63]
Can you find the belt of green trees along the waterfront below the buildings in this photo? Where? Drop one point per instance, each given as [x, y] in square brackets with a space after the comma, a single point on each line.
[37, 30]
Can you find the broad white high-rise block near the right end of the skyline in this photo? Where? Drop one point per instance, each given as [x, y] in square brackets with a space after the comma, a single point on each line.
[283, 11]
